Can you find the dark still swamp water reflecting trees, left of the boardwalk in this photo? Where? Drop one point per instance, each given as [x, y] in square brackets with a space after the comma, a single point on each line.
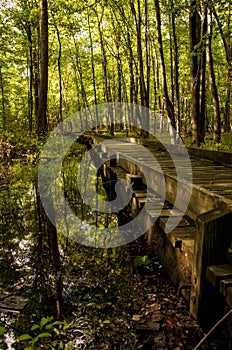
[44, 273]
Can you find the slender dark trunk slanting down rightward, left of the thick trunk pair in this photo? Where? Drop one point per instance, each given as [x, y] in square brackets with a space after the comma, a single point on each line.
[168, 104]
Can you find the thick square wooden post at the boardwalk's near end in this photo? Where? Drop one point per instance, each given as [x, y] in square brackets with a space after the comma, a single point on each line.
[213, 234]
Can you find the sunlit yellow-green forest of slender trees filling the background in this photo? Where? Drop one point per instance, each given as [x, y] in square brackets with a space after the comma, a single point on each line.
[174, 57]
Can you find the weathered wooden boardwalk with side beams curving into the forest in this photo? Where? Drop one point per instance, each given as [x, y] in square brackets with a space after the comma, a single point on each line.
[207, 245]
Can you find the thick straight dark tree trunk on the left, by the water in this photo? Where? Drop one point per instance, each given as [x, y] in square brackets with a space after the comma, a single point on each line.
[42, 126]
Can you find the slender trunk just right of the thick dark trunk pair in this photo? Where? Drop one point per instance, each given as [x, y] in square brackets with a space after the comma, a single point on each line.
[216, 107]
